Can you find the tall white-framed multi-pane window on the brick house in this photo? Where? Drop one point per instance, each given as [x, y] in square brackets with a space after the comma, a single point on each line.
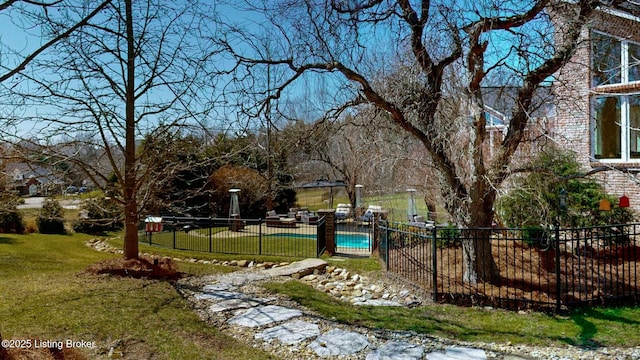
[615, 128]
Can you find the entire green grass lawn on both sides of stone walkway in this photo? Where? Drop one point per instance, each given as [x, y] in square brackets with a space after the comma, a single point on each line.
[44, 296]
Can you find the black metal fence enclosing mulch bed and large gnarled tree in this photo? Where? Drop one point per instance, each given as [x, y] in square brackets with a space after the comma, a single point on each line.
[548, 269]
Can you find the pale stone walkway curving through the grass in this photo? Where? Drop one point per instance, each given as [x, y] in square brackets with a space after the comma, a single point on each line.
[237, 304]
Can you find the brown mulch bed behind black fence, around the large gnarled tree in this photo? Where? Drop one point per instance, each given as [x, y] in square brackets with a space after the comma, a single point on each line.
[527, 274]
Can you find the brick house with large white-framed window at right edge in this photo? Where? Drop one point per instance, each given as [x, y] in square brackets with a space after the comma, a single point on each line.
[597, 99]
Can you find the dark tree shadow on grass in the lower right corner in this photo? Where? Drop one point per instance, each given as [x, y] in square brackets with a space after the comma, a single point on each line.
[588, 329]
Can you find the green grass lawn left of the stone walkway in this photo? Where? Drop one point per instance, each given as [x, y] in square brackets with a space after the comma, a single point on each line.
[45, 297]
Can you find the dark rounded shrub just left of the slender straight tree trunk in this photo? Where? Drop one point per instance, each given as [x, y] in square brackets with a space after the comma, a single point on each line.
[102, 215]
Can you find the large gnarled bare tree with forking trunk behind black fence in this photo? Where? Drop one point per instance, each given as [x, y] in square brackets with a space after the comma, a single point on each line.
[358, 42]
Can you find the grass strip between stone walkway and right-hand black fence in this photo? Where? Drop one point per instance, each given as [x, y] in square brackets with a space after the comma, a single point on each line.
[617, 327]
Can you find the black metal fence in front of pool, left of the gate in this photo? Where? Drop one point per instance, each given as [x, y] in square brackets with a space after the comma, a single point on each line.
[240, 236]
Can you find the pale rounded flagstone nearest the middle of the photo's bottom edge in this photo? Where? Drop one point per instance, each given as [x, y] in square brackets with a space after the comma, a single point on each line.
[338, 342]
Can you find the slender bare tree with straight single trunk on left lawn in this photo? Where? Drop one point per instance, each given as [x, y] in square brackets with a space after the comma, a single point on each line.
[133, 67]
